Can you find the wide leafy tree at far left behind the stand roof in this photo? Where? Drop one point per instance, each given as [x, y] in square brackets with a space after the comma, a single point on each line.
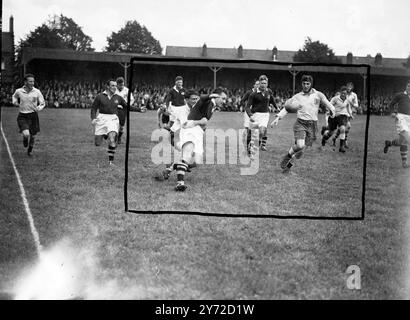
[59, 32]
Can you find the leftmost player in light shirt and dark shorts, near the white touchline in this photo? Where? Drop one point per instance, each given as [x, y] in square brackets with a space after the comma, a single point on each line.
[30, 101]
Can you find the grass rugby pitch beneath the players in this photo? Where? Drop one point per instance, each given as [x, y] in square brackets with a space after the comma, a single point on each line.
[74, 195]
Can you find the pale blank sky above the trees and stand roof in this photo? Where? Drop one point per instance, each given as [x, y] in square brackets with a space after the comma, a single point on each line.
[359, 26]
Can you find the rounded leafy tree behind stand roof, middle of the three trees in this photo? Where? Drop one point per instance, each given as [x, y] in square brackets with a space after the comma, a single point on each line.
[133, 38]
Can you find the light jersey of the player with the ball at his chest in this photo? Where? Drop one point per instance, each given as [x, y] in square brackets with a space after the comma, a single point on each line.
[310, 103]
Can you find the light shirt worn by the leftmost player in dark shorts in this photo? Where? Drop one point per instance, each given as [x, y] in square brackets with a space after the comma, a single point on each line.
[28, 101]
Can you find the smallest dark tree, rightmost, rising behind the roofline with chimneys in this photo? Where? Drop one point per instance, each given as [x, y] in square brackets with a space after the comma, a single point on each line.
[317, 52]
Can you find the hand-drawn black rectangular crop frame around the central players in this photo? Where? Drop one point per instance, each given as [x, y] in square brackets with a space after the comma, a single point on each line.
[263, 62]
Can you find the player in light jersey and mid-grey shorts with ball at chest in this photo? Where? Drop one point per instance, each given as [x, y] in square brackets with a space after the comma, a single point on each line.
[305, 127]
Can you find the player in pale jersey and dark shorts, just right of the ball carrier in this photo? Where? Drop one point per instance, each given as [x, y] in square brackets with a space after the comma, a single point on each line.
[343, 112]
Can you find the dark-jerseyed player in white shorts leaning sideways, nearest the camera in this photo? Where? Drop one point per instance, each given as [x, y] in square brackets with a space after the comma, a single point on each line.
[192, 132]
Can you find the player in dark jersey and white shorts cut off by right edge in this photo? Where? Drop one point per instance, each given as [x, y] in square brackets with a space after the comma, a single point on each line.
[402, 117]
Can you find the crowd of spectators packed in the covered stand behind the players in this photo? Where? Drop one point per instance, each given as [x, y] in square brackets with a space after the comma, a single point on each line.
[72, 94]
